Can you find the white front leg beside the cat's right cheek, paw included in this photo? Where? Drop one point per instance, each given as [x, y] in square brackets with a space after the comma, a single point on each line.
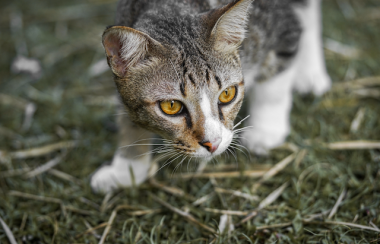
[269, 108]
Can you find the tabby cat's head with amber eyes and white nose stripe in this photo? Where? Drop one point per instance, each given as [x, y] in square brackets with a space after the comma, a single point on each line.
[181, 76]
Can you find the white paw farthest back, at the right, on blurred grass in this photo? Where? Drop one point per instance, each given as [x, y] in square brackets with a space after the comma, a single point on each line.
[316, 82]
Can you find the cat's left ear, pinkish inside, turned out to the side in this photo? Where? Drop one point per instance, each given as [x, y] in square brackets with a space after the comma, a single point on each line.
[127, 48]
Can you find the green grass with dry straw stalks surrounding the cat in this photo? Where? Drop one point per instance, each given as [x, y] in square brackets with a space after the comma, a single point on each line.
[316, 195]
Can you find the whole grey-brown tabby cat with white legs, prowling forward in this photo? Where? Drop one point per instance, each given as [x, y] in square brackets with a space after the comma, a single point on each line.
[183, 67]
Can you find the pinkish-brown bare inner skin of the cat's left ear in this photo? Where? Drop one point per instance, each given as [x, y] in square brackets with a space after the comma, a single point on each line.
[113, 45]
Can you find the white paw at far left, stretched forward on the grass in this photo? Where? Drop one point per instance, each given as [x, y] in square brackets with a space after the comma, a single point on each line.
[118, 174]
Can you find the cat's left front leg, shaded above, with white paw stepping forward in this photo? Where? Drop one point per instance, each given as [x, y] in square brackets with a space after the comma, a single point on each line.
[131, 162]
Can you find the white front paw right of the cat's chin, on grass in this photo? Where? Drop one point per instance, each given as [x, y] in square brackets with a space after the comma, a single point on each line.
[261, 141]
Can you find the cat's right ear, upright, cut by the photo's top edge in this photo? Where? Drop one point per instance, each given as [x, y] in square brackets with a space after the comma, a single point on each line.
[226, 26]
